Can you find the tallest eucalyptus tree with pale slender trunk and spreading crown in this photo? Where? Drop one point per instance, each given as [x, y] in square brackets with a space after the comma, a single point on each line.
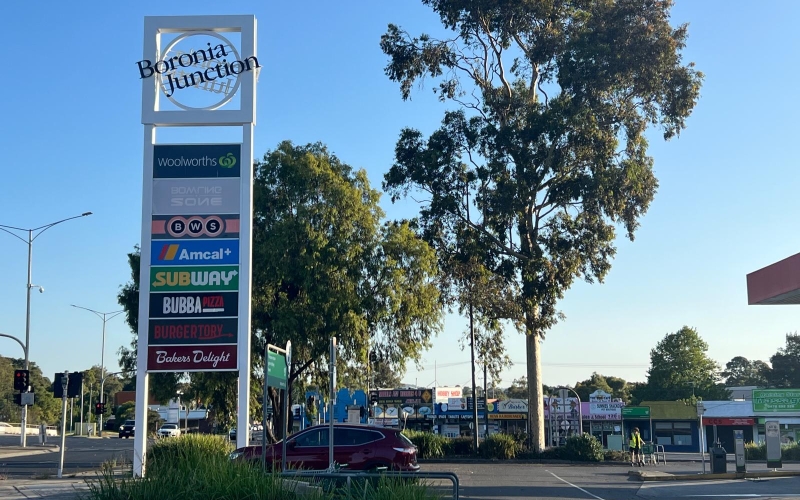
[548, 149]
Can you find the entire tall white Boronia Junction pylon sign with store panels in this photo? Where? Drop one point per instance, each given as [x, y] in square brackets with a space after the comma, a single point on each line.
[197, 204]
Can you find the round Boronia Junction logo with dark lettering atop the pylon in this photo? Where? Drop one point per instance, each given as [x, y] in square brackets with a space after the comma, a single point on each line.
[203, 61]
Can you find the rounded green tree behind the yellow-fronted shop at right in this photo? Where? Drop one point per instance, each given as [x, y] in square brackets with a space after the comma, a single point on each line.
[680, 368]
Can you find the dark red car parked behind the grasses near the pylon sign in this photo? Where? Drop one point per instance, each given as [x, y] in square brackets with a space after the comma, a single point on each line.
[361, 447]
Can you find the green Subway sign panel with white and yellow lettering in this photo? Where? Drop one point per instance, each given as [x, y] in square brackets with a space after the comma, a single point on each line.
[190, 279]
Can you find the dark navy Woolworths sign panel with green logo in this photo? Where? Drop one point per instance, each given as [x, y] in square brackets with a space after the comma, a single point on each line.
[196, 160]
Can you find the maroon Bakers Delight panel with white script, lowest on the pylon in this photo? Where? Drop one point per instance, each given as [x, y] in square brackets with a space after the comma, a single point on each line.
[191, 358]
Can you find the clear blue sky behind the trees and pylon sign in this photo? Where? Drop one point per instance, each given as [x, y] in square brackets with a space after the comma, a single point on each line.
[72, 142]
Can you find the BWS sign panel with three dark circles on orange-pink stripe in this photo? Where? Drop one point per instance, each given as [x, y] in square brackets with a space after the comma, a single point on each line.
[195, 226]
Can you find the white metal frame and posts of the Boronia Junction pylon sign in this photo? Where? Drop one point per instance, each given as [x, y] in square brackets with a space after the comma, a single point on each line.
[154, 117]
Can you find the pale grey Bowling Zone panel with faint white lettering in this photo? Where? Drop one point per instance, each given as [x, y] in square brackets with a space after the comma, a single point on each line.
[200, 196]
